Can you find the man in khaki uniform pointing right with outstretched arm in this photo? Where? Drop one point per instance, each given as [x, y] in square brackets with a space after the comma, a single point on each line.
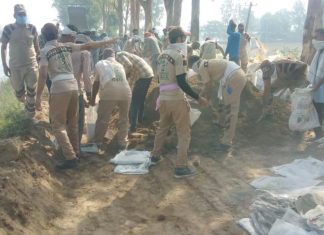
[56, 61]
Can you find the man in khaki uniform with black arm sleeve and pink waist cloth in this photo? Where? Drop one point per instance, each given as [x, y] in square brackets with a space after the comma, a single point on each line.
[173, 105]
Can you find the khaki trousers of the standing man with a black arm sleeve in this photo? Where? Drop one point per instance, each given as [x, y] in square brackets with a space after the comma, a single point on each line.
[177, 112]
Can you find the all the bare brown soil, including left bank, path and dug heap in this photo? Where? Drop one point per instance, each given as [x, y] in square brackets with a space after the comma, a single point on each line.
[35, 199]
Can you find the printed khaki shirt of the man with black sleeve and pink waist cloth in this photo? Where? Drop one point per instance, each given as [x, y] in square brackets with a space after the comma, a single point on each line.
[171, 63]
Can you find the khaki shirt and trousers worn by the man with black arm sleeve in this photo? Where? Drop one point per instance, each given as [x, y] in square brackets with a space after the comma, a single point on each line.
[174, 107]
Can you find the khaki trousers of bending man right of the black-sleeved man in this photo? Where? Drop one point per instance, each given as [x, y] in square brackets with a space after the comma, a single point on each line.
[231, 98]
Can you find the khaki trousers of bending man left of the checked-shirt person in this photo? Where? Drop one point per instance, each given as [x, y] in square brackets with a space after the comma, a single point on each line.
[105, 110]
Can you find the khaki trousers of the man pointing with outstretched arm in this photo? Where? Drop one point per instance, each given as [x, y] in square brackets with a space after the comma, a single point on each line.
[64, 111]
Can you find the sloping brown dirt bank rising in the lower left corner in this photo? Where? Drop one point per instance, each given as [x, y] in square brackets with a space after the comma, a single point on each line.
[29, 196]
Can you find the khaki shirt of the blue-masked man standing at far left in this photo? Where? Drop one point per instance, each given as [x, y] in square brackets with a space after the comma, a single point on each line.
[21, 44]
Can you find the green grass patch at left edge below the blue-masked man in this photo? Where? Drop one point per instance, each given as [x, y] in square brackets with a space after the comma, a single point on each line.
[13, 121]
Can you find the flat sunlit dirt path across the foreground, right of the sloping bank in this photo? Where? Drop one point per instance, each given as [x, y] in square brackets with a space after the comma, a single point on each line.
[97, 201]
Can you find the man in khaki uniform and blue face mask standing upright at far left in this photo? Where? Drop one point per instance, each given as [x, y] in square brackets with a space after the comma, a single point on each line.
[23, 51]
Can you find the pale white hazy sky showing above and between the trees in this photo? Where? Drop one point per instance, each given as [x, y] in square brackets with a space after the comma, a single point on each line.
[41, 11]
